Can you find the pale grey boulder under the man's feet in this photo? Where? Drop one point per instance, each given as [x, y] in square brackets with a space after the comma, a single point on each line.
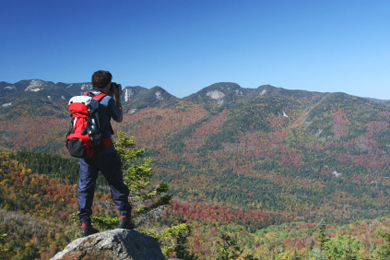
[118, 244]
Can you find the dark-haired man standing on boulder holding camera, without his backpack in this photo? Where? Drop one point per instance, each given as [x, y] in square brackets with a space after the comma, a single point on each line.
[107, 161]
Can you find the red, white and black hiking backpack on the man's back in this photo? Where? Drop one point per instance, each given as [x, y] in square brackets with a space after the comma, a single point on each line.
[84, 138]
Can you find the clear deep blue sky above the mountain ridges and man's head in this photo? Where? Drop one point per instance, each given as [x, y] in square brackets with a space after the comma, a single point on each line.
[186, 45]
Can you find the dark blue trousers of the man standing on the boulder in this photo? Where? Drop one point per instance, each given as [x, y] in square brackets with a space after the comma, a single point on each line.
[110, 167]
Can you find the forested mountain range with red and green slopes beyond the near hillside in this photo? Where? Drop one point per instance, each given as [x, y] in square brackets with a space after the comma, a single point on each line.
[289, 154]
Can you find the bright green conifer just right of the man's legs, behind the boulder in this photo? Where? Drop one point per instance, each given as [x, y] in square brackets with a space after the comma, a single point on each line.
[148, 203]
